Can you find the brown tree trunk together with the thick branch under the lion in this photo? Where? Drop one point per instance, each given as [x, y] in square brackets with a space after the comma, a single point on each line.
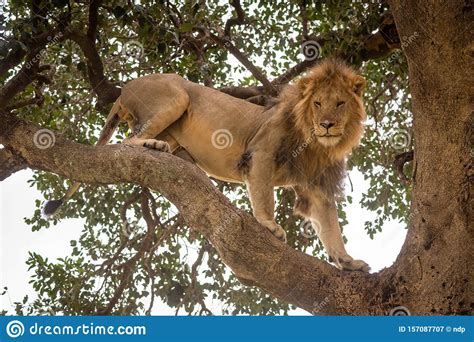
[433, 273]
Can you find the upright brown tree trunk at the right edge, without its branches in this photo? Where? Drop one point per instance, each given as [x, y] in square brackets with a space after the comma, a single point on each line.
[433, 273]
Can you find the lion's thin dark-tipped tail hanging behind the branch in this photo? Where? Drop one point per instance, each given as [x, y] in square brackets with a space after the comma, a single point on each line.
[111, 123]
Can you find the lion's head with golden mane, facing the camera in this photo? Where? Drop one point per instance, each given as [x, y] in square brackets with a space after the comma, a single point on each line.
[328, 108]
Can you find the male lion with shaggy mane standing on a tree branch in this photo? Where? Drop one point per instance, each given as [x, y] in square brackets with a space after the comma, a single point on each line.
[301, 142]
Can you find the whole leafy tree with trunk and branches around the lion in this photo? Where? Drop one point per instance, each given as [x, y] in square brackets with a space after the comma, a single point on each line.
[61, 76]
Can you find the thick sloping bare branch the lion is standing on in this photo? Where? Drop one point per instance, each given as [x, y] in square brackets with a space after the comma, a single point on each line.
[249, 249]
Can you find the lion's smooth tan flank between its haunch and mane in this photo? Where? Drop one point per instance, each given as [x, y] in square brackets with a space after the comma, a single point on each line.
[215, 130]
